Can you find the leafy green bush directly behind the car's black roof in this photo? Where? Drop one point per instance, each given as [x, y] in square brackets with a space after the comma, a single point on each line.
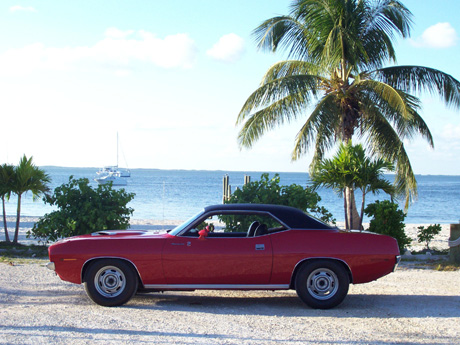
[269, 191]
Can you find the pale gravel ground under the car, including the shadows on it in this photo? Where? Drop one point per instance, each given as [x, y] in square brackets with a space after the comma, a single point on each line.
[410, 306]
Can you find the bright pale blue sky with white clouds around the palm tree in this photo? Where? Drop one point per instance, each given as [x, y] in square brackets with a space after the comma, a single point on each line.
[170, 77]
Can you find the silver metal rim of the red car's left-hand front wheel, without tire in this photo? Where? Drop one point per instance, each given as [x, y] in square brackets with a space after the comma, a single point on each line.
[110, 281]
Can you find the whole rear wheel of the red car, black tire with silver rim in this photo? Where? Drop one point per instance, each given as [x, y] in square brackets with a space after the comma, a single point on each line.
[322, 284]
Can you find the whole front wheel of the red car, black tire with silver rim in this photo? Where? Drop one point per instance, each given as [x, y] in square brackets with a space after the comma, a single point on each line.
[110, 282]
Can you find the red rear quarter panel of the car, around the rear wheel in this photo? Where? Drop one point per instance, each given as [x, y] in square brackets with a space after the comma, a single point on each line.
[369, 256]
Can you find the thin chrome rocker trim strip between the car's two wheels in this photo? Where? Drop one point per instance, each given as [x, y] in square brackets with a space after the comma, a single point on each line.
[218, 286]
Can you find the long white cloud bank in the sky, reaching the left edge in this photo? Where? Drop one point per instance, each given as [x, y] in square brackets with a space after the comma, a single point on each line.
[118, 50]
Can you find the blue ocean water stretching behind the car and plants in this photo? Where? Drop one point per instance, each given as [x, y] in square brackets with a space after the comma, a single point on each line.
[178, 194]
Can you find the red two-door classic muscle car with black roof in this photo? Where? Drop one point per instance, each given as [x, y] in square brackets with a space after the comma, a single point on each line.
[233, 246]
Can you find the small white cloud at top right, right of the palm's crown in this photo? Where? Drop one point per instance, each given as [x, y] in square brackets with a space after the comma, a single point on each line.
[441, 35]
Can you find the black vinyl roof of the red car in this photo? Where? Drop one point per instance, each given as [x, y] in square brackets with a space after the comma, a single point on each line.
[292, 217]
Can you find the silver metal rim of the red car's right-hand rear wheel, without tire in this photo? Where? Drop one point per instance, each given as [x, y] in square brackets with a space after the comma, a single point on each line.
[322, 283]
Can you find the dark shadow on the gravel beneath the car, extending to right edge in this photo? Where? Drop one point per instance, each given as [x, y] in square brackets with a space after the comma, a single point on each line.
[381, 306]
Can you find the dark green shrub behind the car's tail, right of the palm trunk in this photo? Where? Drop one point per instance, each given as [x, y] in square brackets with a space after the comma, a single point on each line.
[388, 219]
